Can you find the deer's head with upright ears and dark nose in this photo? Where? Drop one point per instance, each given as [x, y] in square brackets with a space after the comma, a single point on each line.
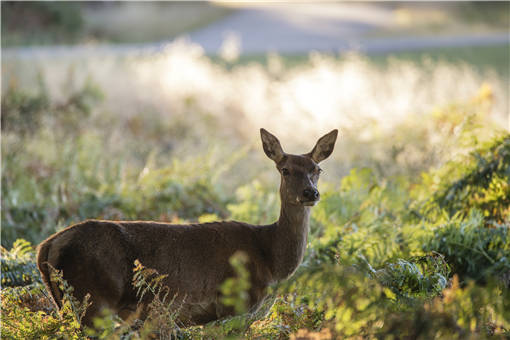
[299, 173]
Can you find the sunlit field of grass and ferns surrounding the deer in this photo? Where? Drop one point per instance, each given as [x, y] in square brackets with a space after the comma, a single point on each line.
[411, 238]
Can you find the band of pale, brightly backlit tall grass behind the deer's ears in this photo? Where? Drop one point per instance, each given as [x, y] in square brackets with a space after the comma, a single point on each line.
[193, 99]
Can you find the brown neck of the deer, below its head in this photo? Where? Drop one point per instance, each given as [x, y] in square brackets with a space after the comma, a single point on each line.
[290, 239]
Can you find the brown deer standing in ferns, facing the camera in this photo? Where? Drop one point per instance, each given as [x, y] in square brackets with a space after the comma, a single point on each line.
[96, 257]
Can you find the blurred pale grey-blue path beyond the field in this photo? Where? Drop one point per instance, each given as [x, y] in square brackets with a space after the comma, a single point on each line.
[335, 27]
